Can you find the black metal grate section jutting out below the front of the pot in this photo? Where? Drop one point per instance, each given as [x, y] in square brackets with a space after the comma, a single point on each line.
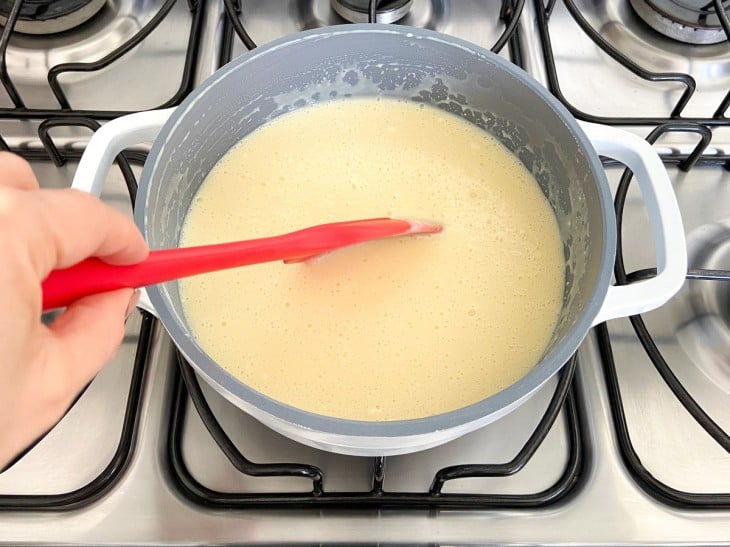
[186, 388]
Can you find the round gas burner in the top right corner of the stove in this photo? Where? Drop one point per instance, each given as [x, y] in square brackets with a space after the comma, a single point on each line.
[689, 21]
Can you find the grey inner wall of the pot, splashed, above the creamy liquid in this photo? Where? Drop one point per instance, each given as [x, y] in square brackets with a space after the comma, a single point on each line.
[401, 63]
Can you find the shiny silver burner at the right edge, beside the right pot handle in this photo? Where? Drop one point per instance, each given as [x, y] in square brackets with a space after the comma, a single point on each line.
[705, 334]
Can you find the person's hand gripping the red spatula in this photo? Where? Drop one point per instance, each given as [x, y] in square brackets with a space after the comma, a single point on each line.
[43, 368]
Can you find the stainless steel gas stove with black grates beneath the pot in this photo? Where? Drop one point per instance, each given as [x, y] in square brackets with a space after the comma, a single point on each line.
[628, 445]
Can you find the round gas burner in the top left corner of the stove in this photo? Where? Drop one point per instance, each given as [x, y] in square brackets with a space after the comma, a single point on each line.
[50, 16]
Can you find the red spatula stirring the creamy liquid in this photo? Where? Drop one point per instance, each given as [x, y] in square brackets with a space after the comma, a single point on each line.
[92, 276]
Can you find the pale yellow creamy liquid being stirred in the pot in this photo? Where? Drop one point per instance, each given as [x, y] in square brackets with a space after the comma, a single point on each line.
[387, 330]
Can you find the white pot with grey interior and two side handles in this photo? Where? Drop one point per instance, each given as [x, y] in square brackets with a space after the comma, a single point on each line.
[383, 60]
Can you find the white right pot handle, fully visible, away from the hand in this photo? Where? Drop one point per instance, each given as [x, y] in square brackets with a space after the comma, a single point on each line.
[665, 219]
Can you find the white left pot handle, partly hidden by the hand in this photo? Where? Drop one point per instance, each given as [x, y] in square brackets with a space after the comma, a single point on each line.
[106, 143]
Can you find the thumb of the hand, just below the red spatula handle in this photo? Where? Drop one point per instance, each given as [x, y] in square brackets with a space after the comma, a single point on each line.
[89, 332]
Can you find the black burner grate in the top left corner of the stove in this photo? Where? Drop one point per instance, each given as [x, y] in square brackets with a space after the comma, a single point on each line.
[21, 111]
